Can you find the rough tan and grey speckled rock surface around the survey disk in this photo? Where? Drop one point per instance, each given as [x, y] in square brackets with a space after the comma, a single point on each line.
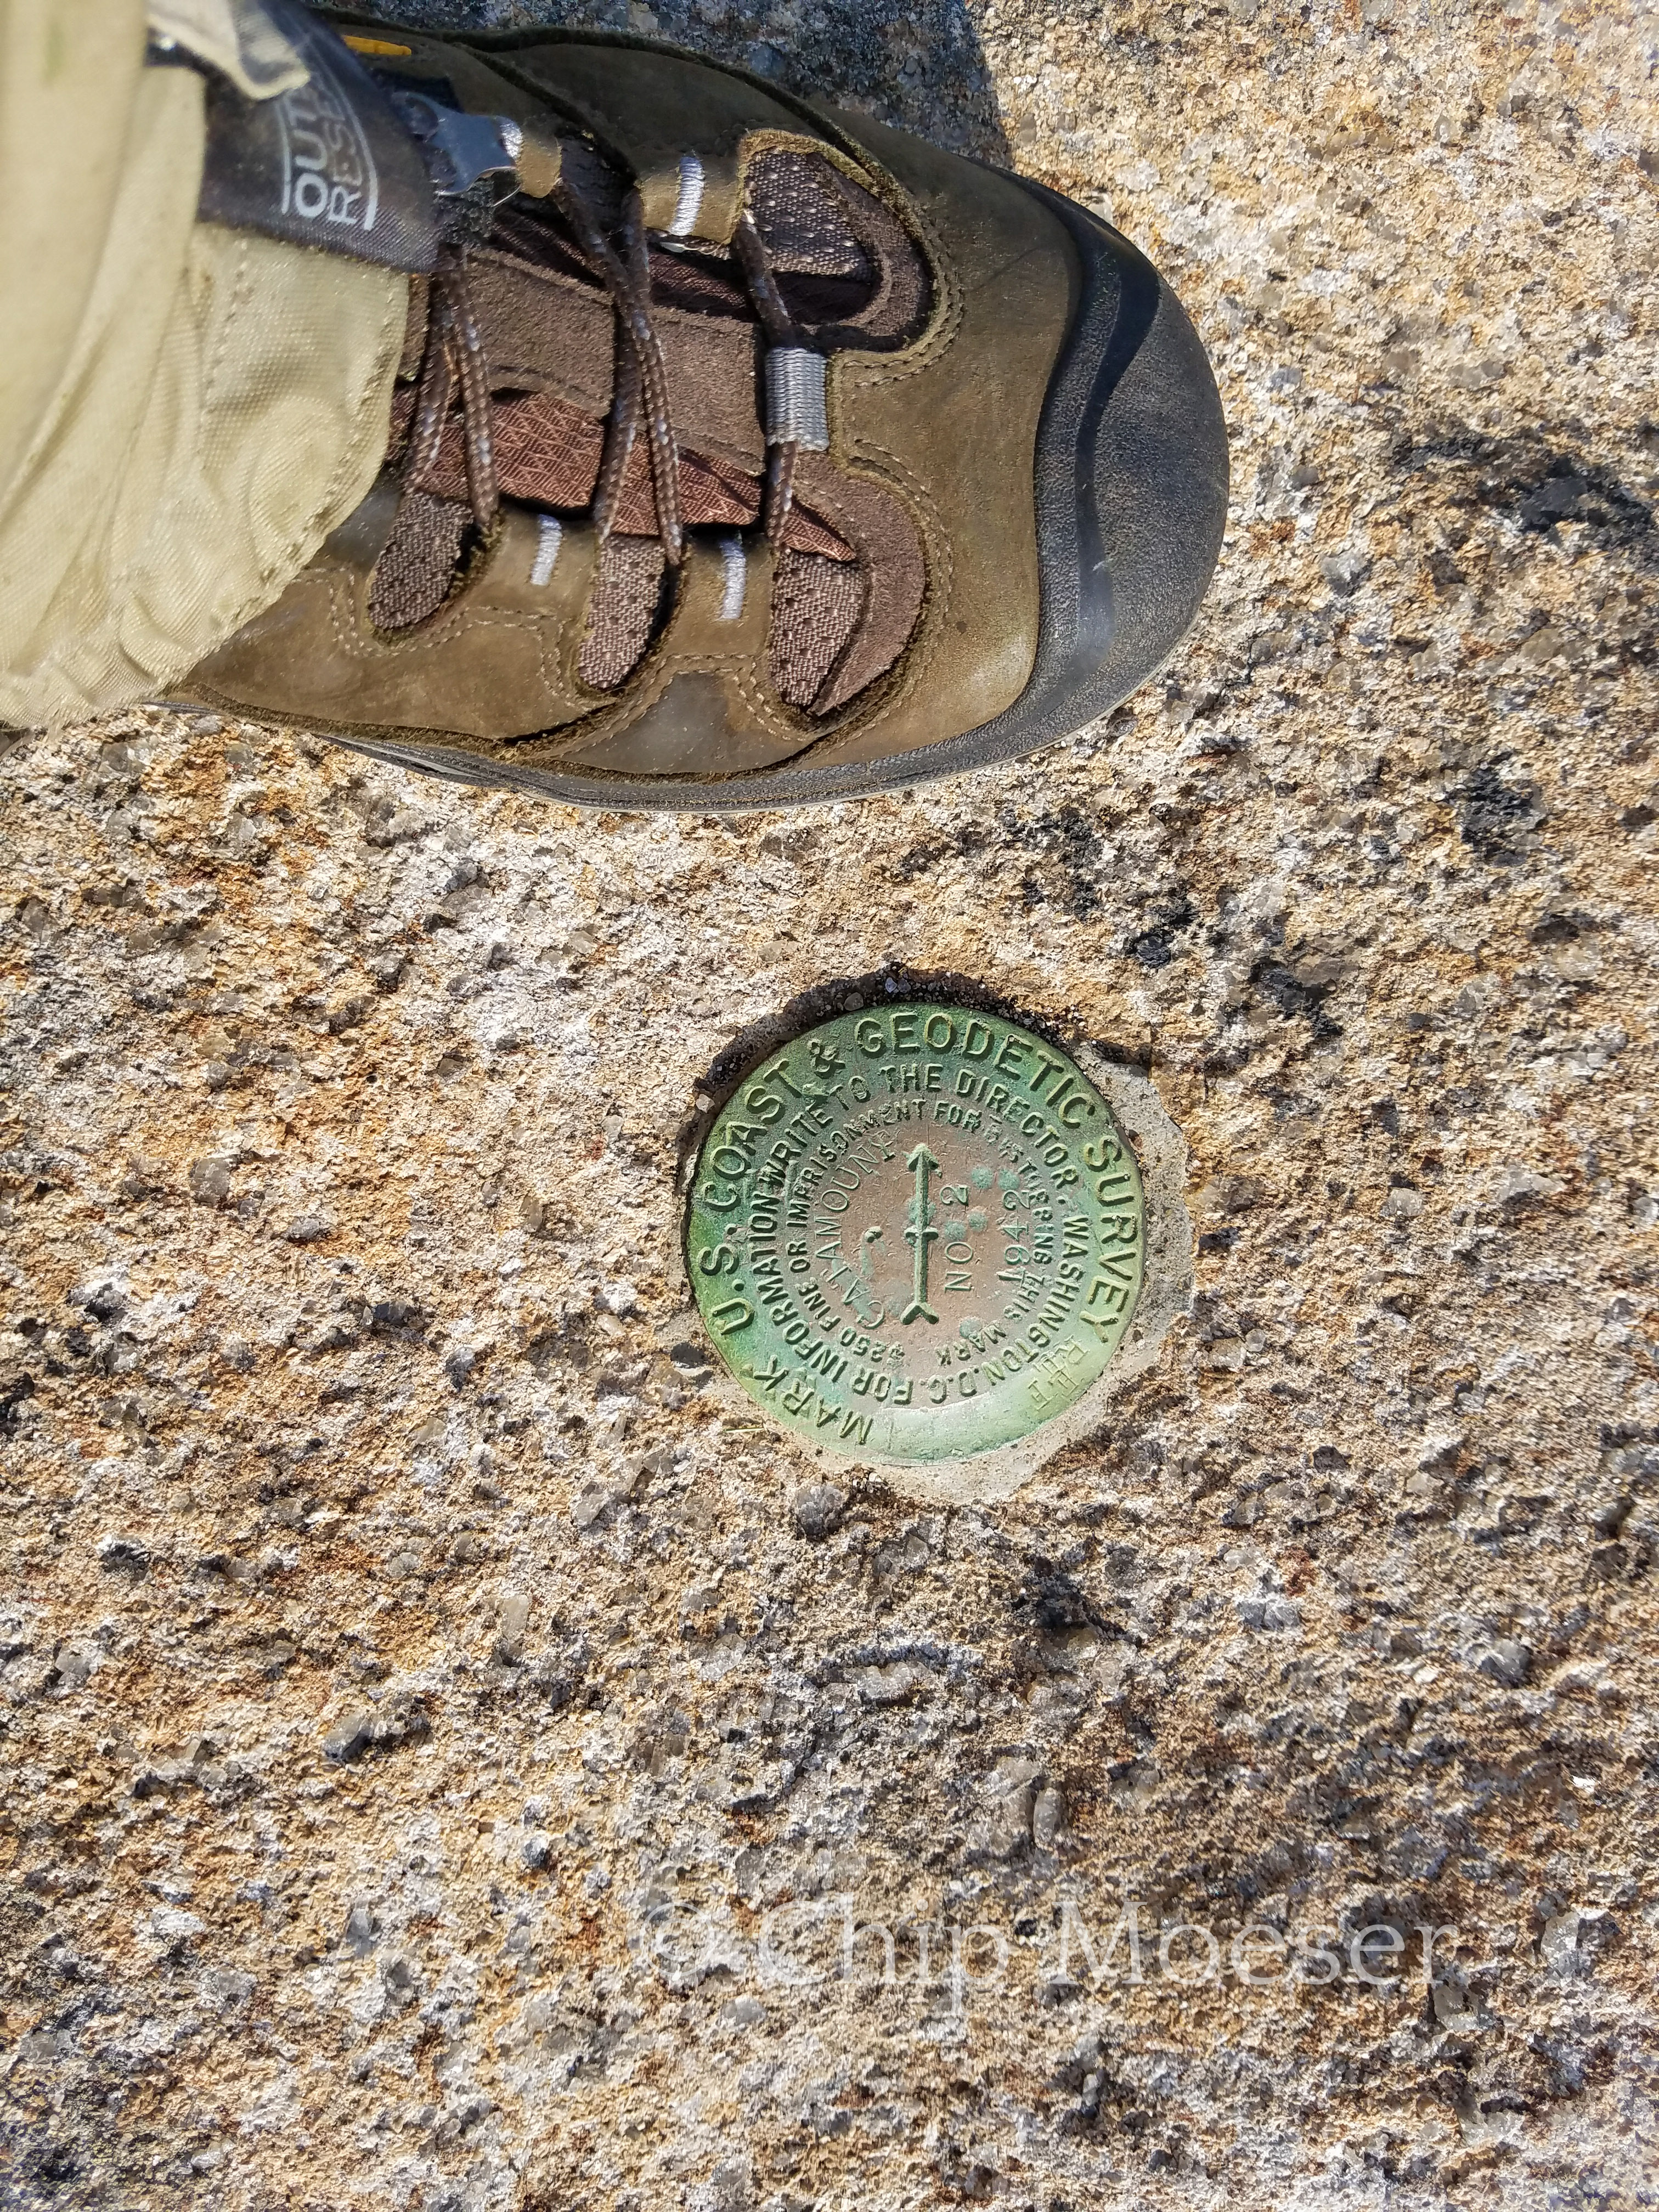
[439, 1744]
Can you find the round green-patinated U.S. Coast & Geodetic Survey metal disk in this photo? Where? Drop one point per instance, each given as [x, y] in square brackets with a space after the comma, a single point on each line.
[917, 1233]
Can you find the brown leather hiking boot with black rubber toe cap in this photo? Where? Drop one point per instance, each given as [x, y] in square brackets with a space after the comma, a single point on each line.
[744, 452]
